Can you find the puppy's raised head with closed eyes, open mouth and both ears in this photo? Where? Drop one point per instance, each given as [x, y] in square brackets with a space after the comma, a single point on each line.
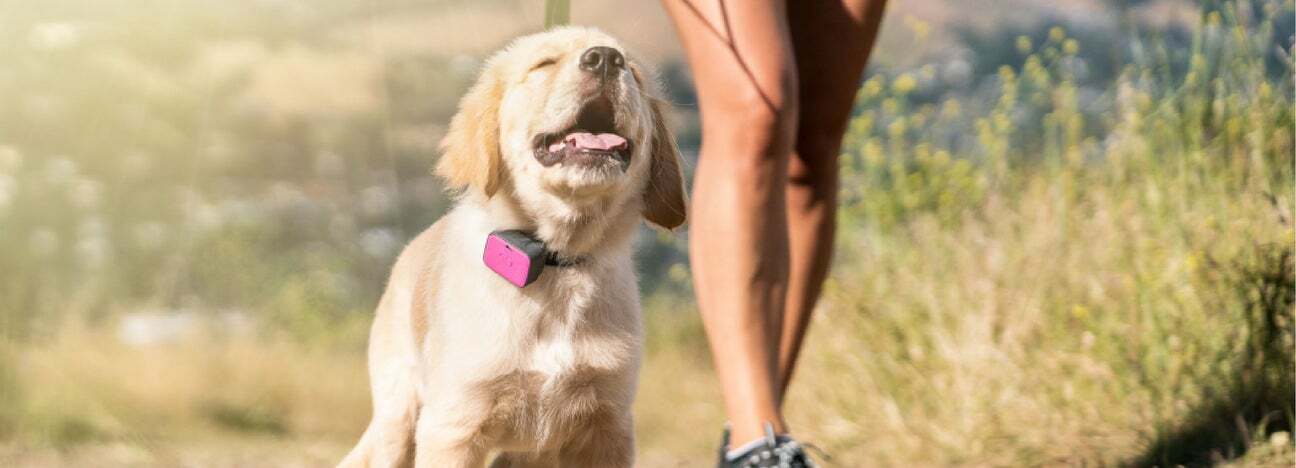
[568, 117]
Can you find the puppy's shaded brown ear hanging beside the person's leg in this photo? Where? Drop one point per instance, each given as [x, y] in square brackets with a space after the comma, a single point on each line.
[664, 200]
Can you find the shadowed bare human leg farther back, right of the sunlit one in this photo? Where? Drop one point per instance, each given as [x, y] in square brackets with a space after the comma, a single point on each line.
[833, 41]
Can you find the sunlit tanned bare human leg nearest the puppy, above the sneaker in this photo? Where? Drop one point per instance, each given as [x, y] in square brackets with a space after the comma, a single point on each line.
[741, 54]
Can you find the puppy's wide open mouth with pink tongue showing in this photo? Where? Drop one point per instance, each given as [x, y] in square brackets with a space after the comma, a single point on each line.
[593, 141]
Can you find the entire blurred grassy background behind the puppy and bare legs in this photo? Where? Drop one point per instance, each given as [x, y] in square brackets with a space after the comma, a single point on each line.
[1066, 230]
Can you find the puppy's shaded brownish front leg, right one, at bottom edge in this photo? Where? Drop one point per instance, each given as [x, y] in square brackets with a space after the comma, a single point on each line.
[608, 441]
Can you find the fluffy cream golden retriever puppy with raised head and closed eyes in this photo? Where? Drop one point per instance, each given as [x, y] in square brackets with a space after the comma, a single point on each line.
[562, 139]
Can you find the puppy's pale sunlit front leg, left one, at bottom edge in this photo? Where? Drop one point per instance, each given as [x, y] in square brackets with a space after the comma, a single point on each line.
[441, 445]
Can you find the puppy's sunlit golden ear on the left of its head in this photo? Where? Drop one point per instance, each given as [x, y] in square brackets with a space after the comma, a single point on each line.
[471, 156]
